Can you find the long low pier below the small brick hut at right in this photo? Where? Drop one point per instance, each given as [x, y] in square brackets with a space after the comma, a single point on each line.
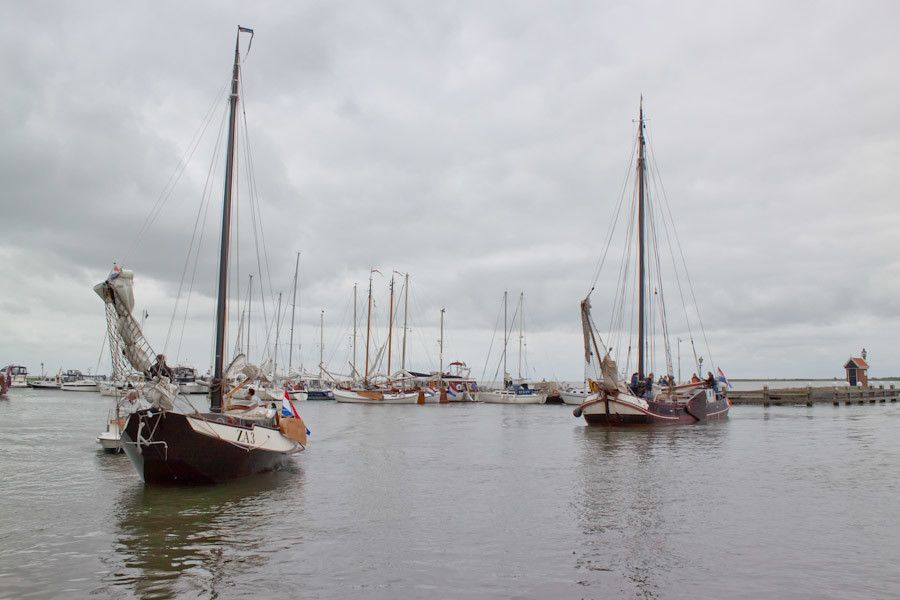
[815, 395]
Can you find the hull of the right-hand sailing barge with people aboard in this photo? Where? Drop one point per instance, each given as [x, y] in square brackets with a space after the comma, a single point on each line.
[622, 410]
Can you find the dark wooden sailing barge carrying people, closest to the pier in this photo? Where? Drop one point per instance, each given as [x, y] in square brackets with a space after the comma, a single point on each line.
[612, 403]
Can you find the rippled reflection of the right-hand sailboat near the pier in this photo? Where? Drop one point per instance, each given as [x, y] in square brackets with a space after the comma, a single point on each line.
[635, 496]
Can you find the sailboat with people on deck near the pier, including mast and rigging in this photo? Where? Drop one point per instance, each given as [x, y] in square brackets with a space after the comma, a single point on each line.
[644, 401]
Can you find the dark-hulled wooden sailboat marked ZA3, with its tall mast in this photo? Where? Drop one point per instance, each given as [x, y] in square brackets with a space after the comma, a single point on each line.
[168, 446]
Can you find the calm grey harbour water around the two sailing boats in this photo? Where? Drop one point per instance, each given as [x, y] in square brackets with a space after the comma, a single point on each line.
[465, 501]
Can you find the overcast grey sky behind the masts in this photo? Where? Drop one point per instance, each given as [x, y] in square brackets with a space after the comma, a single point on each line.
[479, 147]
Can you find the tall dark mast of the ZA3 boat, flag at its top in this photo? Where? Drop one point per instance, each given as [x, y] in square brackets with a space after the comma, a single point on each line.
[215, 390]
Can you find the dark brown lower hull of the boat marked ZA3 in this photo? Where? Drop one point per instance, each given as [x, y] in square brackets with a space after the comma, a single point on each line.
[171, 452]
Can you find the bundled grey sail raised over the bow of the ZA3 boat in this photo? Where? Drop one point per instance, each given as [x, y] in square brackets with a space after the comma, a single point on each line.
[118, 290]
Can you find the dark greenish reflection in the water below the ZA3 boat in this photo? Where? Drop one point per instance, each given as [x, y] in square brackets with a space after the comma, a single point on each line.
[198, 540]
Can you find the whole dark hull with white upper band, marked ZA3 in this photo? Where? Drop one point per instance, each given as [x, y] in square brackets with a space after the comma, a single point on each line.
[173, 448]
